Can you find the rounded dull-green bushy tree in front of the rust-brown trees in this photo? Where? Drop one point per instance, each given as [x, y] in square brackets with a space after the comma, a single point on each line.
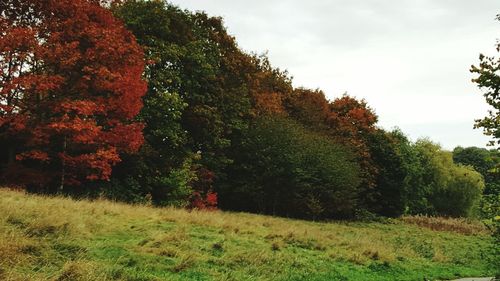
[284, 169]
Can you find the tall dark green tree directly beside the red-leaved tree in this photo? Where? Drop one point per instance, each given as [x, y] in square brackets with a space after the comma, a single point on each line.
[198, 99]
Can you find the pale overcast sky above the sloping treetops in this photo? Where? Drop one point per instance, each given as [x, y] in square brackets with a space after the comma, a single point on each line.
[409, 59]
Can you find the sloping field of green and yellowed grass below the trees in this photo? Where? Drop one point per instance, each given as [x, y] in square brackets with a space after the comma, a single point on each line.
[47, 238]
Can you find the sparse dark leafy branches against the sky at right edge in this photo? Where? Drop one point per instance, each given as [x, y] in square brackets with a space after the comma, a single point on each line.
[488, 79]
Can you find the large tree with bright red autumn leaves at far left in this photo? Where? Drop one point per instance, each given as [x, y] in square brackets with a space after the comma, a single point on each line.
[70, 86]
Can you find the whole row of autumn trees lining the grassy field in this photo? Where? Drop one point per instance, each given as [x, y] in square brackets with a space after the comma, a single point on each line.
[220, 127]
